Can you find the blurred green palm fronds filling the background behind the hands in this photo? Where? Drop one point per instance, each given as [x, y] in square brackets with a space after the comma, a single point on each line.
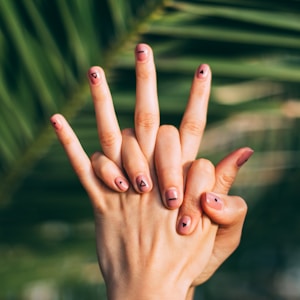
[46, 232]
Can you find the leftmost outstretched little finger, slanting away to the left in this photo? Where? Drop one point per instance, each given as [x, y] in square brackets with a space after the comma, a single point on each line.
[77, 156]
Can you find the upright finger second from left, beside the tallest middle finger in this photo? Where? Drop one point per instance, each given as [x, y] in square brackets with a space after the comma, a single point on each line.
[107, 123]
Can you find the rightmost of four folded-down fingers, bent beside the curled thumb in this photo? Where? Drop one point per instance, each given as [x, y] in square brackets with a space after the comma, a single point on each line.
[200, 179]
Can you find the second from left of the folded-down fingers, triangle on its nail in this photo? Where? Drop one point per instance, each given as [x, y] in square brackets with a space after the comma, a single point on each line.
[135, 163]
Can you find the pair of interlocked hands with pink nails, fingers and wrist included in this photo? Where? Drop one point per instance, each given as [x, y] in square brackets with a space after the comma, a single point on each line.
[131, 250]
